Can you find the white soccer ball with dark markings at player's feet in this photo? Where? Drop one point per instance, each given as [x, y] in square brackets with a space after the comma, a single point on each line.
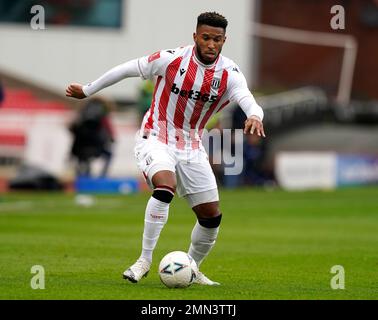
[177, 269]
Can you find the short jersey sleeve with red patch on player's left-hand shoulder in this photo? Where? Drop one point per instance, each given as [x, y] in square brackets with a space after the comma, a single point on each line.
[155, 64]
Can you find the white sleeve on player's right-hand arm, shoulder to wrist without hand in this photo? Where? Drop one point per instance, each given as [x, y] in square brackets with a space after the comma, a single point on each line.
[240, 94]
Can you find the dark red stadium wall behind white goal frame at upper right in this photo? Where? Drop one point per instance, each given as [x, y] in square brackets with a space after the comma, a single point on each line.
[291, 65]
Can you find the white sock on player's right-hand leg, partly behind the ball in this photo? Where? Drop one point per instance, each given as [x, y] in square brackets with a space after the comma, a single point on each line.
[203, 240]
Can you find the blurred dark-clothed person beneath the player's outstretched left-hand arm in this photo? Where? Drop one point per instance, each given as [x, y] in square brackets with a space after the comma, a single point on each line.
[93, 136]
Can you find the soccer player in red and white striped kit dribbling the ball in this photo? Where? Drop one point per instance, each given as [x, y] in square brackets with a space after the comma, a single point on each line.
[193, 83]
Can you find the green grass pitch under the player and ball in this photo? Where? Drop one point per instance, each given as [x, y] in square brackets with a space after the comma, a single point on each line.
[272, 245]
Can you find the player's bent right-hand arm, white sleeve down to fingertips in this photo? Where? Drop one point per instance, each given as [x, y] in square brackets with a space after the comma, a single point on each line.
[241, 95]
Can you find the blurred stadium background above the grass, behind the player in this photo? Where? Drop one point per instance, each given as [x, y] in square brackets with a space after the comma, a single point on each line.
[317, 86]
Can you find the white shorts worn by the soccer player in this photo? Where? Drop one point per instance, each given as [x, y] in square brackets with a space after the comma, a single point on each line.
[192, 168]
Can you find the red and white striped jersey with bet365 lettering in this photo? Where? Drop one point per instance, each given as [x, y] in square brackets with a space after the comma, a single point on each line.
[187, 93]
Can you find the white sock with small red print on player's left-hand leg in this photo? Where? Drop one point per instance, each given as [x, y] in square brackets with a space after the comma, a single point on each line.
[156, 216]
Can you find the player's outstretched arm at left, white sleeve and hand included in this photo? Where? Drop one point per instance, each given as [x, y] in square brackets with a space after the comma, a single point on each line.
[145, 67]
